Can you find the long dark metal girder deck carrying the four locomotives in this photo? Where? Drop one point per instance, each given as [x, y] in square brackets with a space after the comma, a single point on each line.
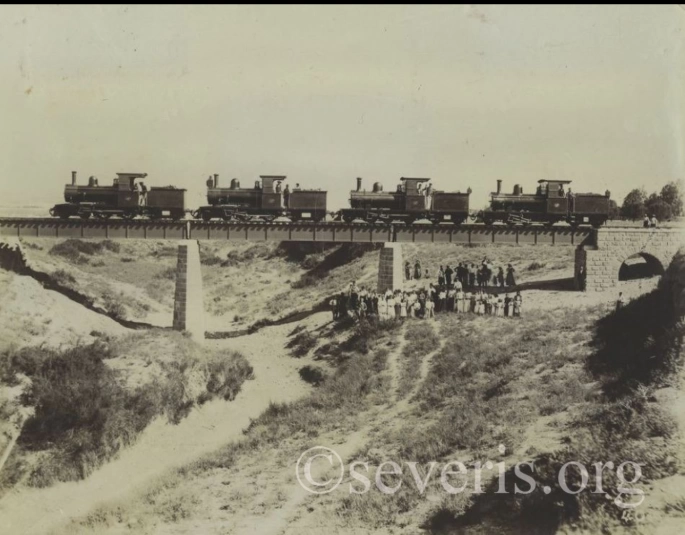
[331, 232]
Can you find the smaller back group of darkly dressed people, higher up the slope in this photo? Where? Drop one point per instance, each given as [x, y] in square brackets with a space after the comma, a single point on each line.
[466, 275]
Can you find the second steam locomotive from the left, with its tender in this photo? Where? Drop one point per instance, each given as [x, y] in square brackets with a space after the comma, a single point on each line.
[265, 202]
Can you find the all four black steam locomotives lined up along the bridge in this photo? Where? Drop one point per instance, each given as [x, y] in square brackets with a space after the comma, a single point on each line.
[414, 199]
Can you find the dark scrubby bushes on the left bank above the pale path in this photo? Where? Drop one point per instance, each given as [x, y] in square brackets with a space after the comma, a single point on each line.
[84, 414]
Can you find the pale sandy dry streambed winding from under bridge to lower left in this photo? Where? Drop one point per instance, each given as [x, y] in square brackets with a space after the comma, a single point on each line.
[162, 447]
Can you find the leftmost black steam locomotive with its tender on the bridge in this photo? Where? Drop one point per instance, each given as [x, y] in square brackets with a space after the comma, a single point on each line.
[121, 199]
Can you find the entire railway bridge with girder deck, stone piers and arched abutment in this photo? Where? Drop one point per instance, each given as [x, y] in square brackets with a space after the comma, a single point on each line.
[599, 256]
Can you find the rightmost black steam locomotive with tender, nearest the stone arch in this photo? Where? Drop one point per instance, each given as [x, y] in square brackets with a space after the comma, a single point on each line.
[548, 205]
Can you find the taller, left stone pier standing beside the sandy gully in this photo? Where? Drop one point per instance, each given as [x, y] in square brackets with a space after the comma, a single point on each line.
[188, 302]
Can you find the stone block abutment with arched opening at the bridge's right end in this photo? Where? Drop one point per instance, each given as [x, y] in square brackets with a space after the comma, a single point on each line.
[601, 255]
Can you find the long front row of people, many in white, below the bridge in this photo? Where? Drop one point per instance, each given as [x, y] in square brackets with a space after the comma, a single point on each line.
[359, 302]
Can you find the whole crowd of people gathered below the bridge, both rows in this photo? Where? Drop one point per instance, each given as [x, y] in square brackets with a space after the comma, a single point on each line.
[466, 288]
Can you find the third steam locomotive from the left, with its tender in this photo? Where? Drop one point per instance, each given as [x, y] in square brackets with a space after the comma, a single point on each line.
[412, 200]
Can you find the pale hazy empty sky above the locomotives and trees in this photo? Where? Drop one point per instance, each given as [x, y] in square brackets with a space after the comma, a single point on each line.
[323, 94]
